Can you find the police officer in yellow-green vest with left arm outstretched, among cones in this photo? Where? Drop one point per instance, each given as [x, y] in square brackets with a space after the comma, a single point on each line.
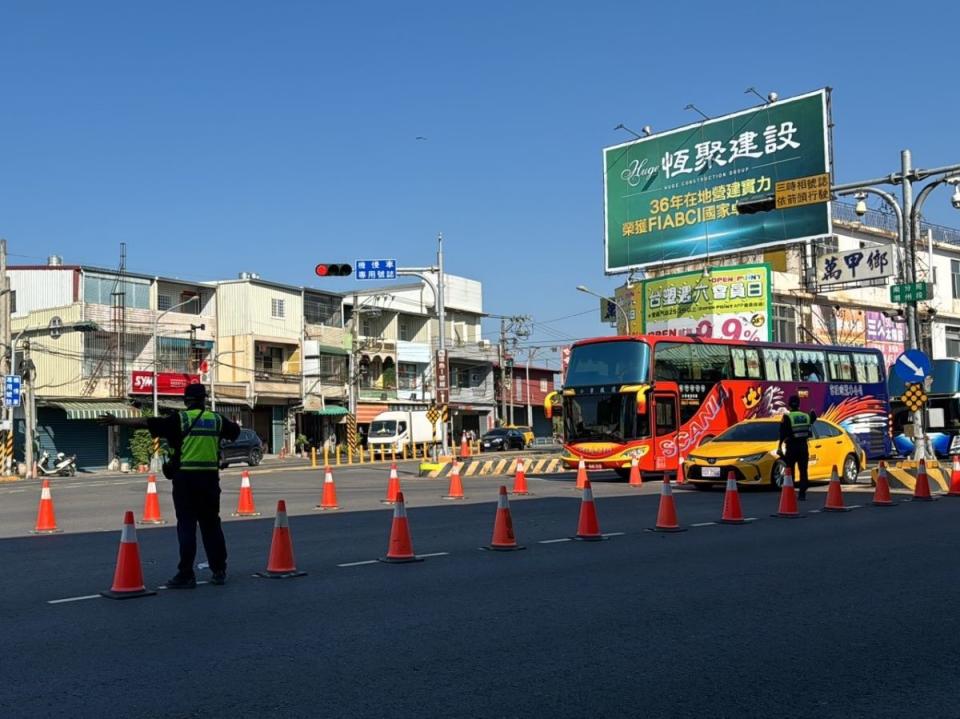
[194, 436]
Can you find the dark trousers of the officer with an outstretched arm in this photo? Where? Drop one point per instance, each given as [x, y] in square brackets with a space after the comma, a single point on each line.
[197, 501]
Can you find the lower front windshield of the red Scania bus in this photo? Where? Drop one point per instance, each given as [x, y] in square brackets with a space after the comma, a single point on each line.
[604, 417]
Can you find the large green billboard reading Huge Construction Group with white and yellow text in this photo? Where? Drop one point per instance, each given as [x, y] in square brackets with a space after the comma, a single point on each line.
[673, 196]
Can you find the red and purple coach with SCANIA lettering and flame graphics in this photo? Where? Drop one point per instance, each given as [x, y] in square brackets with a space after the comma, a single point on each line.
[657, 398]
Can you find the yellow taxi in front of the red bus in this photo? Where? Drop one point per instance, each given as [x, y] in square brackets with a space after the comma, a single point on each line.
[749, 448]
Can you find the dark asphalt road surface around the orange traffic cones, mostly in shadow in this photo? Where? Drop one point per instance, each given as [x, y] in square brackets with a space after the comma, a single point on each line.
[835, 615]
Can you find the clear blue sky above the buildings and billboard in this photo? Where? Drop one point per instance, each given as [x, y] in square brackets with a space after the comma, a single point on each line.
[218, 137]
